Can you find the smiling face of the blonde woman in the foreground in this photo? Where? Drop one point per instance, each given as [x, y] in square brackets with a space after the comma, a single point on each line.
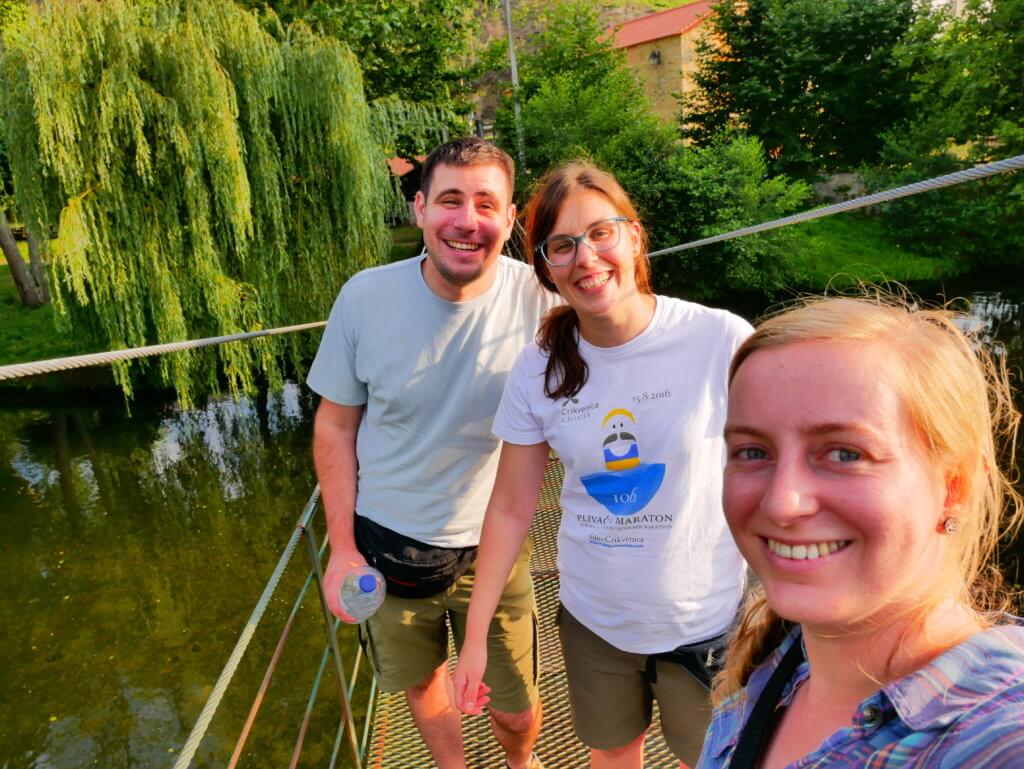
[829, 490]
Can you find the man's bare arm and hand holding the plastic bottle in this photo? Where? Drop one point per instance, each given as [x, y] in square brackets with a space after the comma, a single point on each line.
[334, 455]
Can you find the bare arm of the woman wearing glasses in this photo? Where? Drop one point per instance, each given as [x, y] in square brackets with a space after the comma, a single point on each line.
[506, 526]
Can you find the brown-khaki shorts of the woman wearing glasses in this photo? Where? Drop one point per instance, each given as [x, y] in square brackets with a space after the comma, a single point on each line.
[612, 698]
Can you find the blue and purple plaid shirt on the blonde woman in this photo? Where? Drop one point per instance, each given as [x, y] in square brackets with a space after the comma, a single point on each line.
[965, 710]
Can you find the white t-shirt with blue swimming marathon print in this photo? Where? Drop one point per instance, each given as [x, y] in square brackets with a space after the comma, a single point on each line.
[646, 558]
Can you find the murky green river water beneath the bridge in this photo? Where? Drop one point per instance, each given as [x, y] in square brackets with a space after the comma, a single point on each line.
[135, 549]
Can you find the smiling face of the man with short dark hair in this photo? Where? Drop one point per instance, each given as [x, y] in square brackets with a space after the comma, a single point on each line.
[466, 218]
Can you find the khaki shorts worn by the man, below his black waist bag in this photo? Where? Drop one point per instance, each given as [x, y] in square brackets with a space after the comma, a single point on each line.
[407, 638]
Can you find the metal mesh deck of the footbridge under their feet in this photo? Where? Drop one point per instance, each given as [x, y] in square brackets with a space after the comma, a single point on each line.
[396, 744]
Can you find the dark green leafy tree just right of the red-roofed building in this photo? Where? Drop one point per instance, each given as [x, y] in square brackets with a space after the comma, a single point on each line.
[817, 80]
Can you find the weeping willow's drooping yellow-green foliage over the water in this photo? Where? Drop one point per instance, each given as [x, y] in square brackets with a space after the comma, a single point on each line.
[201, 176]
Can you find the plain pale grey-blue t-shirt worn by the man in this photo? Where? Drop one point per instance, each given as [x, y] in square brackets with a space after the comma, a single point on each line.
[431, 373]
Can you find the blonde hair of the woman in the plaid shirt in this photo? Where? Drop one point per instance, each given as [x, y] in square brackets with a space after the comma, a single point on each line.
[961, 403]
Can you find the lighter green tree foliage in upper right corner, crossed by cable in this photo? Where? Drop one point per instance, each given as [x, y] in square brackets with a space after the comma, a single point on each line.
[968, 109]
